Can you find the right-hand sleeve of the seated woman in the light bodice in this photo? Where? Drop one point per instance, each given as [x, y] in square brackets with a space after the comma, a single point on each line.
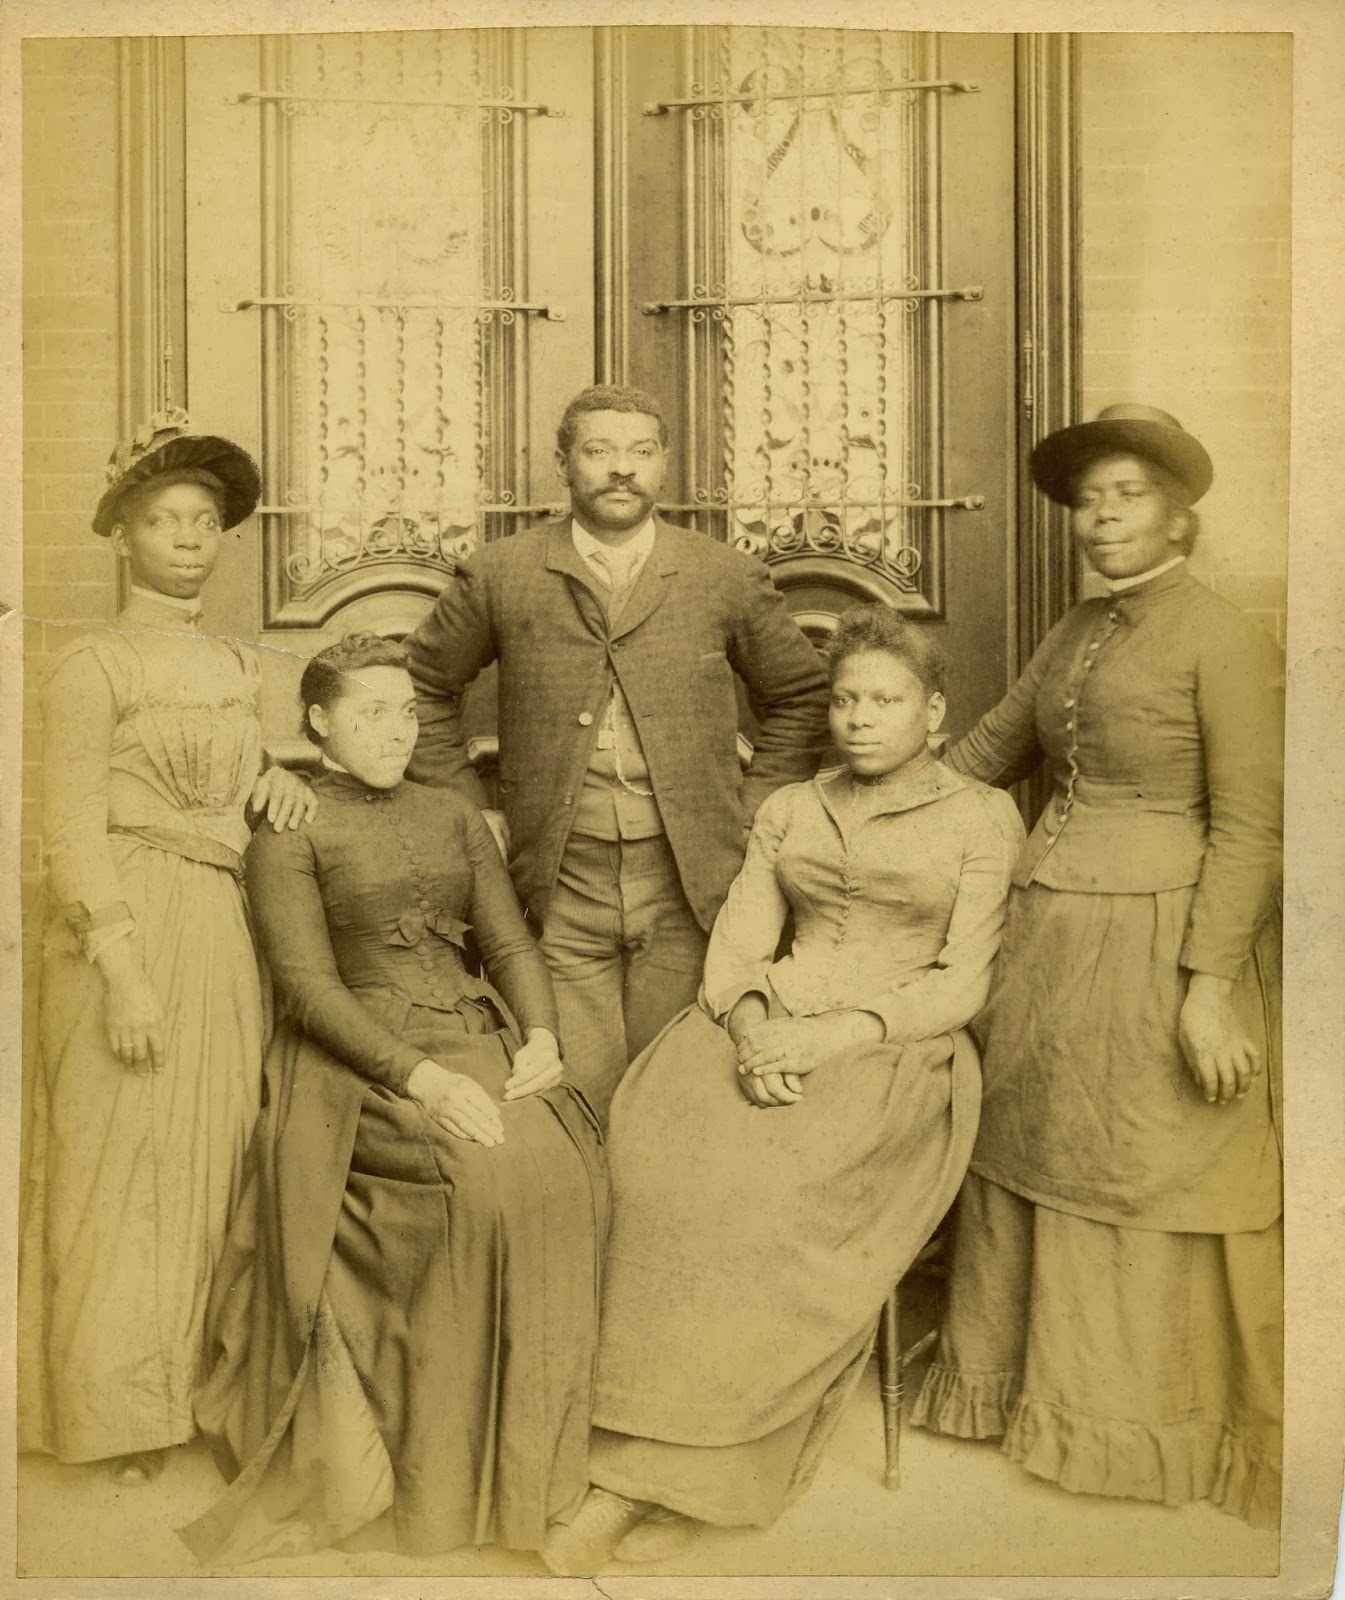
[949, 994]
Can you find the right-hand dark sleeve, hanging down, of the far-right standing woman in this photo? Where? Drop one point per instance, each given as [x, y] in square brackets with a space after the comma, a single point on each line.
[1240, 705]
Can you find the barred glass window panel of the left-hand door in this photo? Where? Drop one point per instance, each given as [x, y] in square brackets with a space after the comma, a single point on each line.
[394, 342]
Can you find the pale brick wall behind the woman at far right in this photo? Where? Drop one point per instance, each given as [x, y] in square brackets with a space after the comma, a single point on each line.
[1186, 273]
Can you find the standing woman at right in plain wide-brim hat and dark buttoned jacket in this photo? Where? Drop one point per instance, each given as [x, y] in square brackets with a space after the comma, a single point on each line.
[1116, 1297]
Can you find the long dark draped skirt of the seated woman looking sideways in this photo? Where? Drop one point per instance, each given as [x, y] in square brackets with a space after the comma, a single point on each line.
[405, 1322]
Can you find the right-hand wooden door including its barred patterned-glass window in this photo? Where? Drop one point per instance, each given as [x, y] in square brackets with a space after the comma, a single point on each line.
[831, 314]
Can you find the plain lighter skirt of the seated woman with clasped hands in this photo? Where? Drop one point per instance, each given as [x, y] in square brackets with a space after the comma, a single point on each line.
[751, 1255]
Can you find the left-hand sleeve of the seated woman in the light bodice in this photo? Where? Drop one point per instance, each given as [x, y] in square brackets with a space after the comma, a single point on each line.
[748, 930]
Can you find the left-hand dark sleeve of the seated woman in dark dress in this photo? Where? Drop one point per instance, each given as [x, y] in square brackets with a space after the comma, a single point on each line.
[292, 929]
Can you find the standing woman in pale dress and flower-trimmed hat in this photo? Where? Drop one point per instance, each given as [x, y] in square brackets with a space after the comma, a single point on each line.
[151, 1017]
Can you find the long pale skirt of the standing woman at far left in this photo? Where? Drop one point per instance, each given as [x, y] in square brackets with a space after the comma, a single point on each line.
[132, 1178]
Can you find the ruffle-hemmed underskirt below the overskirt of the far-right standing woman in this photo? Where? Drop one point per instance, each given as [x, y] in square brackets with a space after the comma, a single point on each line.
[1114, 1361]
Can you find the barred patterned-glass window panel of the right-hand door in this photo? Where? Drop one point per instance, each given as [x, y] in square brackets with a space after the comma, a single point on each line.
[813, 300]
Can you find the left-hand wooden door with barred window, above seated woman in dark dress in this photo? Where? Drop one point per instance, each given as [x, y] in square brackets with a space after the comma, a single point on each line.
[391, 305]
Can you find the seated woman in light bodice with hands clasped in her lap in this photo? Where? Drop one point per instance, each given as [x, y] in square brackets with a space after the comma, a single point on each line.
[751, 1255]
